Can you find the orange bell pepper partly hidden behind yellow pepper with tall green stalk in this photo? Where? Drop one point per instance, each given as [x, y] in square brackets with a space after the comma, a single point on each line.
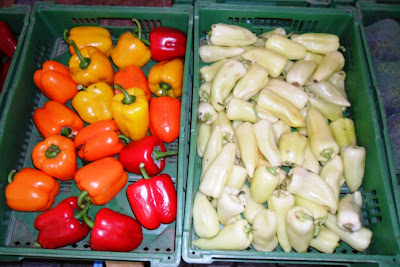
[132, 76]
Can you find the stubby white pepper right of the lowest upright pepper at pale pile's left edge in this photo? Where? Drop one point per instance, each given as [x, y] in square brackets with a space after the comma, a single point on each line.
[230, 203]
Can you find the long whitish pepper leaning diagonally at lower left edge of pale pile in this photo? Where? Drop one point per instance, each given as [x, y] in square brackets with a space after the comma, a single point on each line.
[217, 174]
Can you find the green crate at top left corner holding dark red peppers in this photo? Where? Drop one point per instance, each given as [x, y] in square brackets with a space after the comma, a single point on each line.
[17, 17]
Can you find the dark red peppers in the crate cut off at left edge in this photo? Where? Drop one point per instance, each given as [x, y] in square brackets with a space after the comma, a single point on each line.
[8, 46]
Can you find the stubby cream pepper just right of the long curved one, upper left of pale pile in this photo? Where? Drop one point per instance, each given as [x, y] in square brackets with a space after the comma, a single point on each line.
[249, 85]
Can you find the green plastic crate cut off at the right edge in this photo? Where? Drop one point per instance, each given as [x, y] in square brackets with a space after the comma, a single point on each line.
[369, 14]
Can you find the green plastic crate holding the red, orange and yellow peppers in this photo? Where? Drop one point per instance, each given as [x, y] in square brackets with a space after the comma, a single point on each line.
[161, 247]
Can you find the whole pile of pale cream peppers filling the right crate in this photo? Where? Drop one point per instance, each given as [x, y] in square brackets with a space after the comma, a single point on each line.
[277, 144]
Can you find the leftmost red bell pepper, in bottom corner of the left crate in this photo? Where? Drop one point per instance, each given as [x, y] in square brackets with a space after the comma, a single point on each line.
[62, 225]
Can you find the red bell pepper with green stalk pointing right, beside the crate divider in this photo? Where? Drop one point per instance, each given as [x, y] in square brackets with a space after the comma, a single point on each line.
[149, 150]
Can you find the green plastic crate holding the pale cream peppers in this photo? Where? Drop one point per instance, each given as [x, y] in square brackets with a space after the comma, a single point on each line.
[378, 208]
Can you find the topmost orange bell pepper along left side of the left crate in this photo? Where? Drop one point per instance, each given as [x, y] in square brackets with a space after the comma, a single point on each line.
[55, 82]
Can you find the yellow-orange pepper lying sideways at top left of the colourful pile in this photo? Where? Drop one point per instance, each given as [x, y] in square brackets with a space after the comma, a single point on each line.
[91, 36]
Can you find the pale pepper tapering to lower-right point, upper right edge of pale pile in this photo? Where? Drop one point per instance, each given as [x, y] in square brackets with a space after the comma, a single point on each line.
[328, 92]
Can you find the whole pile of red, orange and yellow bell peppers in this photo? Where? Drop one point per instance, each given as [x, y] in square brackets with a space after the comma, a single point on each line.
[103, 111]
